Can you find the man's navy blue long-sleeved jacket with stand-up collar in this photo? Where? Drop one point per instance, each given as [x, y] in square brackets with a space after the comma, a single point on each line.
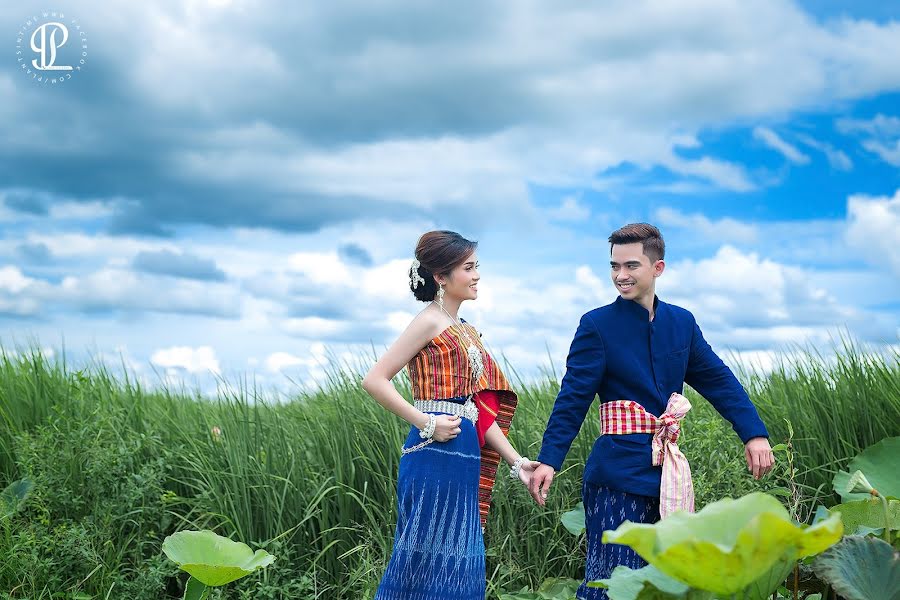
[619, 354]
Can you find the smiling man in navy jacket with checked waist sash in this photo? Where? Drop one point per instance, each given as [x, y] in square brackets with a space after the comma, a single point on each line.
[636, 354]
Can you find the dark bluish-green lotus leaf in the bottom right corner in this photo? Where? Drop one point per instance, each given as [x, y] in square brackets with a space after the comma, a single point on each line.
[861, 568]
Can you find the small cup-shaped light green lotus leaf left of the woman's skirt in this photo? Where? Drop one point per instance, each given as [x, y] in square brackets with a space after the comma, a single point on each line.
[212, 559]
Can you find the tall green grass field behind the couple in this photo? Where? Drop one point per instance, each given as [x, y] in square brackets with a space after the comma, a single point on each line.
[313, 479]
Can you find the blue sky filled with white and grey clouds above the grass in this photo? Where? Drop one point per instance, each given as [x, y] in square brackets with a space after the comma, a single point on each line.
[232, 190]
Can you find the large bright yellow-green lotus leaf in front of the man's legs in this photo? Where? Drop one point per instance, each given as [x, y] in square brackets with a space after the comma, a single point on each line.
[728, 545]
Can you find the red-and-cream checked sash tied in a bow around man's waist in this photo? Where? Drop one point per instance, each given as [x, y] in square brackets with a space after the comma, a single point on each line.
[620, 417]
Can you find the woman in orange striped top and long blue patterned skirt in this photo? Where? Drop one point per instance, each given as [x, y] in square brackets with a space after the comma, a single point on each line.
[461, 415]
